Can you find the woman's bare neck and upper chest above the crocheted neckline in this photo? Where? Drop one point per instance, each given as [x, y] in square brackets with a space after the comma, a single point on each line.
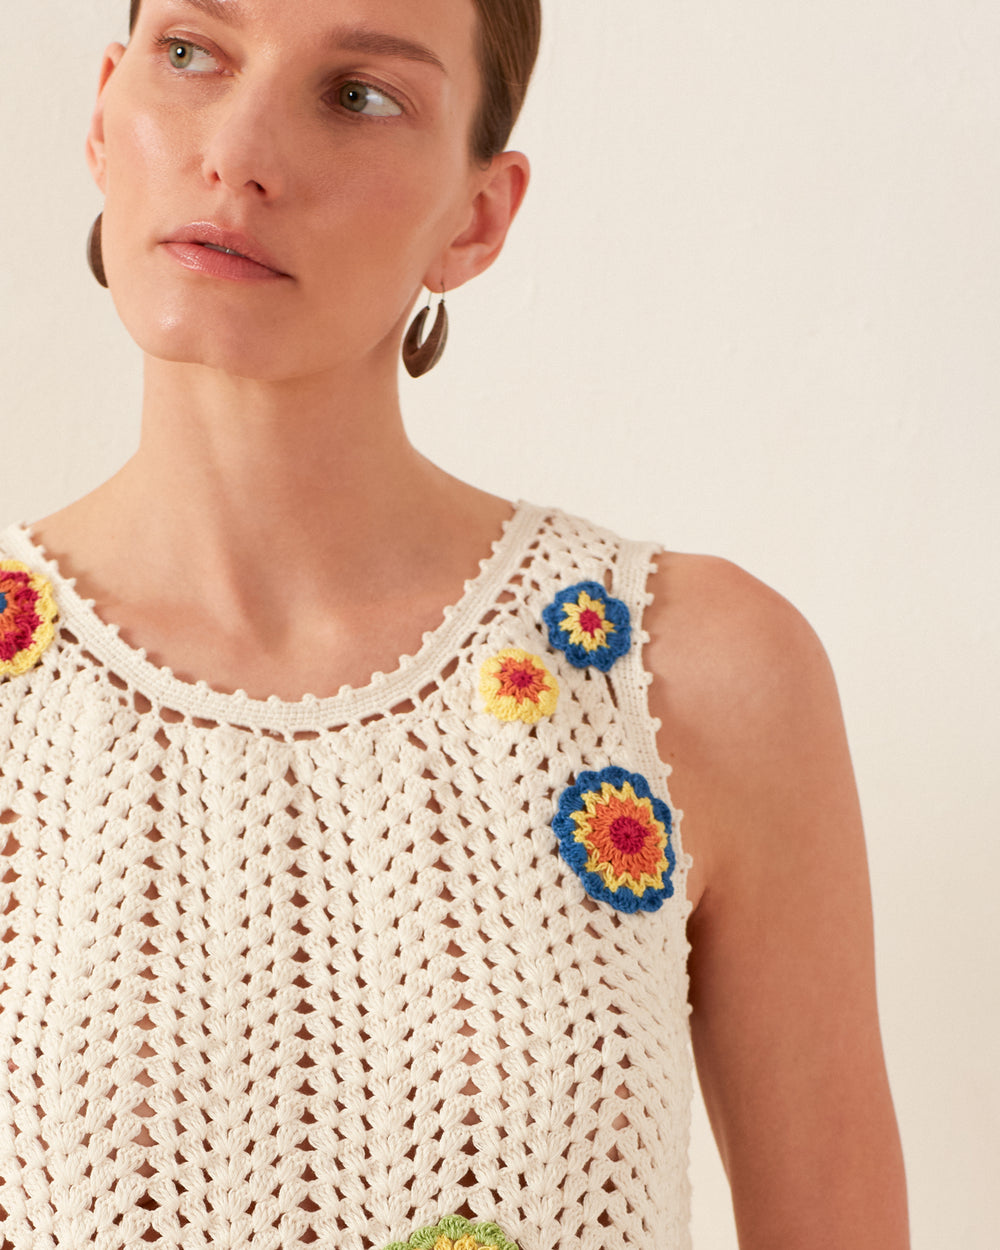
[278, 514]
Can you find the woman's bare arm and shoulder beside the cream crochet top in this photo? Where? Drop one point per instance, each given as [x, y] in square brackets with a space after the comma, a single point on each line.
[783, 981]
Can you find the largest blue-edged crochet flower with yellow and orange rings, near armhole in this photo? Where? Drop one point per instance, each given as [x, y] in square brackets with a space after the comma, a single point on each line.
[617, 838]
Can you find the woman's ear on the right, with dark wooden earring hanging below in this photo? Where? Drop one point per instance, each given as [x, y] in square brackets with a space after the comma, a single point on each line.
[503, 187]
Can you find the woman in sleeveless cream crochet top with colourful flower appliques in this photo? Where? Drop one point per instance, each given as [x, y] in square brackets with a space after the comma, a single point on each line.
[302, 954]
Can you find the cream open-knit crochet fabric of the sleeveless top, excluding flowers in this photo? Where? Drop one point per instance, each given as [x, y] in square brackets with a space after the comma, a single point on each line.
[317, 974]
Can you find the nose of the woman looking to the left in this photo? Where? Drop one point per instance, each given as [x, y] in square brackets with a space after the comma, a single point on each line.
[247, 142]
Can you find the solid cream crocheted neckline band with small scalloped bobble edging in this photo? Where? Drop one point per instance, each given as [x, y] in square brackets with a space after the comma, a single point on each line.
[381, 696]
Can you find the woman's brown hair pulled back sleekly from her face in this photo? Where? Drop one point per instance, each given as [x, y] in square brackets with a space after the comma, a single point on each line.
[509, 34]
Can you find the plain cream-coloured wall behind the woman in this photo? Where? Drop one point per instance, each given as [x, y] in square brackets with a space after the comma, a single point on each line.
[752, 308]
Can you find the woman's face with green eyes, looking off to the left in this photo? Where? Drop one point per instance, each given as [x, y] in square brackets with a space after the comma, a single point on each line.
[333, 133]
